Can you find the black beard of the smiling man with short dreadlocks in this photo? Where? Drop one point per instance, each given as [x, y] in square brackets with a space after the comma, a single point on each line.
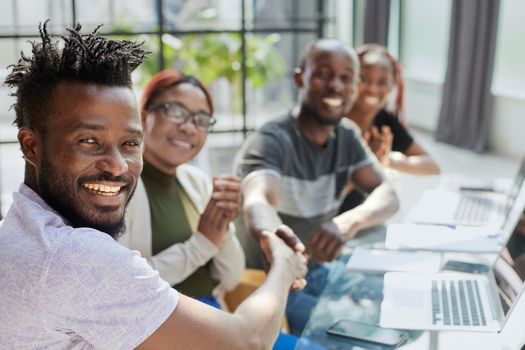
[55, 194]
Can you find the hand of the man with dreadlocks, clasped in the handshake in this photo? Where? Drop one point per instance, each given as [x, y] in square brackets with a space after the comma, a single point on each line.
[277, 253]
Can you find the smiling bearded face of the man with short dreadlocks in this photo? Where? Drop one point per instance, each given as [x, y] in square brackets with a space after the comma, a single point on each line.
[90, 155]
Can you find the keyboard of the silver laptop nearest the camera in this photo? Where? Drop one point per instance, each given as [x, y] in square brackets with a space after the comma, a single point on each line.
[457, 303]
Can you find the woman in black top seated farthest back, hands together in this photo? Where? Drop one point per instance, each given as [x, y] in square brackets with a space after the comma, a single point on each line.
[387, 137]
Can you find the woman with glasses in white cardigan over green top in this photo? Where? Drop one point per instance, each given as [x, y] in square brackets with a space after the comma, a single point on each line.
[179, 219]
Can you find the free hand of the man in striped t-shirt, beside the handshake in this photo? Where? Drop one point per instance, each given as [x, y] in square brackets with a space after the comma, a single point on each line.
[326, 242]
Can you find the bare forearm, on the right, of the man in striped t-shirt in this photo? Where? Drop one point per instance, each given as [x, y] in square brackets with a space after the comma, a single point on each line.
[381, 204]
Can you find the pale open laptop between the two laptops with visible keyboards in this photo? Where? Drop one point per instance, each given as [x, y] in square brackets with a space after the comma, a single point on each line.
[451, 238]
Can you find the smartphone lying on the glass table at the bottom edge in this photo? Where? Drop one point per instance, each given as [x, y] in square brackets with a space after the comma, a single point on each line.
[367, 332]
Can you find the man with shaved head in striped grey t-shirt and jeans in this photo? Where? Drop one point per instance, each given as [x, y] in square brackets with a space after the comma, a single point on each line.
[297, 170]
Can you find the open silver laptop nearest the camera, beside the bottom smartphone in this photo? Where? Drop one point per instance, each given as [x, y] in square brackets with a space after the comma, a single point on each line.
[451, 300]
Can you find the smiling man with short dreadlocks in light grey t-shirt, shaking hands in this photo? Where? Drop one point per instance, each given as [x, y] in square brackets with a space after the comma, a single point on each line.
[64, 280]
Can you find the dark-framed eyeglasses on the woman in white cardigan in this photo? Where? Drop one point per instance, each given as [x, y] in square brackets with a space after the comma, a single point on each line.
[179, 114]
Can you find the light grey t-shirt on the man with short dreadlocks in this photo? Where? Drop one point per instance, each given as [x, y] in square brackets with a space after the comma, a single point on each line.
[73, 288]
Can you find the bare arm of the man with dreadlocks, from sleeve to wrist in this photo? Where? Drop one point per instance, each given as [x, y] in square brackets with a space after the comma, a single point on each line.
[254, 325]
